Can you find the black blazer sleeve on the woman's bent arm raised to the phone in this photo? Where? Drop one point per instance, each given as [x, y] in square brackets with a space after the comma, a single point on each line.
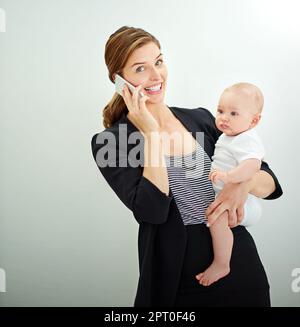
[147, 202]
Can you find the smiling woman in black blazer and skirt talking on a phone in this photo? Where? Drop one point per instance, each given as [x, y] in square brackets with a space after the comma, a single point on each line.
[174, 243]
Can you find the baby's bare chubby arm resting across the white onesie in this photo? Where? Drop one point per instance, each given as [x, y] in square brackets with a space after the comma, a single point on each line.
[243, 172]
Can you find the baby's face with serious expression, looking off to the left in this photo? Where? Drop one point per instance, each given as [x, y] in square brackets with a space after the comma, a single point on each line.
[236, 114]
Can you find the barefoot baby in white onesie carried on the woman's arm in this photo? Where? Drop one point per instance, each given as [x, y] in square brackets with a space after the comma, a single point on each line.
[237, 157]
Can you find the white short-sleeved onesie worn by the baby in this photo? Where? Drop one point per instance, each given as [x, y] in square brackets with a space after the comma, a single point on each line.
[230, 151]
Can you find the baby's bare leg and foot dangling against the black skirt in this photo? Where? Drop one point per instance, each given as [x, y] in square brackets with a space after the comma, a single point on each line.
[222, 239]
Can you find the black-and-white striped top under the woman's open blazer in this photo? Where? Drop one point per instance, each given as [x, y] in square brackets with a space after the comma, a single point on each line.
[189, 183]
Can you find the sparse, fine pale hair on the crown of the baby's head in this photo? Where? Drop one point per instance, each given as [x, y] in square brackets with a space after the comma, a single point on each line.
[249, 90]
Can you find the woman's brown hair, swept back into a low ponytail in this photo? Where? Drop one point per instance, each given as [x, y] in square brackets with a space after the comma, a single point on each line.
[118, 49]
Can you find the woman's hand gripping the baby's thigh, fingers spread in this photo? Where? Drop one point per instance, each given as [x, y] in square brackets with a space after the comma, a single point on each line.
[231, 198]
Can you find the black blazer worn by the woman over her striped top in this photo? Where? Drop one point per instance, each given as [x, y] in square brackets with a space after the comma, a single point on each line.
[161, 237]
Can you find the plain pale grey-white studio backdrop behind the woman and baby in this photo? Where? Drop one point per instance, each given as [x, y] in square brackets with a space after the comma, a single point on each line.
[65, 238]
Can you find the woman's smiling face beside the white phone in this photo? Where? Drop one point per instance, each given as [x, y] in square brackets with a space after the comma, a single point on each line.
[146, 67]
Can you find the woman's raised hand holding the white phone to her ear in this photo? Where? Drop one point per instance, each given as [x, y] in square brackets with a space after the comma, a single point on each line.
[139, 114]
